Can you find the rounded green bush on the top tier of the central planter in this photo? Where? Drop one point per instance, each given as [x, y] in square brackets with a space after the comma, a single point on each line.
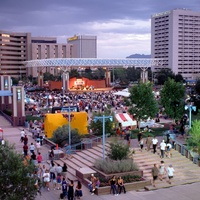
[118, 151]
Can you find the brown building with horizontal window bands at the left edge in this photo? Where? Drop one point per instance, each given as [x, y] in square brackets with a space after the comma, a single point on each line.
[13, 51]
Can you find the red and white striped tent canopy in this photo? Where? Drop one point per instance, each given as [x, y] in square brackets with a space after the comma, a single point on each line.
[125, 119]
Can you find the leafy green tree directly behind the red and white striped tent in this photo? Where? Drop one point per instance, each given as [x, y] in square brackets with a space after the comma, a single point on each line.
[142, 103]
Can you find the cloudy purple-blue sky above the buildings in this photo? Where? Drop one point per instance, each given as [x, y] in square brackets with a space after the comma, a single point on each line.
[122, 27]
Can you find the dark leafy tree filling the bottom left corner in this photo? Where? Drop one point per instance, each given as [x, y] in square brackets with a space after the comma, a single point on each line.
[16, 178]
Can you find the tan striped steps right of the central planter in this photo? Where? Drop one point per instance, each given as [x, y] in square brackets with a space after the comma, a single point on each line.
[185, 171]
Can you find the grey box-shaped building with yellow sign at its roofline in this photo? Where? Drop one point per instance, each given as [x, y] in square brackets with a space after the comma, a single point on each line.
[83, 46]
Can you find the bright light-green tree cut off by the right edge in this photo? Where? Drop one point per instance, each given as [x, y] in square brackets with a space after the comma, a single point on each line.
[193, 141]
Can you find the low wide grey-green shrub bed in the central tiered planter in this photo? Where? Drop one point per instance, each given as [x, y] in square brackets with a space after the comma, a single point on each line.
[109, 166]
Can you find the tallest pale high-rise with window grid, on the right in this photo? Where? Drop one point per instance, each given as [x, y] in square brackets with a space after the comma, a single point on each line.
[175, 37]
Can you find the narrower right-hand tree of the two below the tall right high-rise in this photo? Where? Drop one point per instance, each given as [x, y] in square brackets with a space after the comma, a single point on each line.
[172, 99]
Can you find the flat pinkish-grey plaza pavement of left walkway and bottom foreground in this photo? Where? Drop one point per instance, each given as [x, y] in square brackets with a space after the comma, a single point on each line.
[182, 192]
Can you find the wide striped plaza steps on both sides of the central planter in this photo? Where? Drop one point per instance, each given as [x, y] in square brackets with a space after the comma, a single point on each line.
[186, 171]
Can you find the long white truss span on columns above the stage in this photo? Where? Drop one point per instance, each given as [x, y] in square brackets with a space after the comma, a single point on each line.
[66, 64]
